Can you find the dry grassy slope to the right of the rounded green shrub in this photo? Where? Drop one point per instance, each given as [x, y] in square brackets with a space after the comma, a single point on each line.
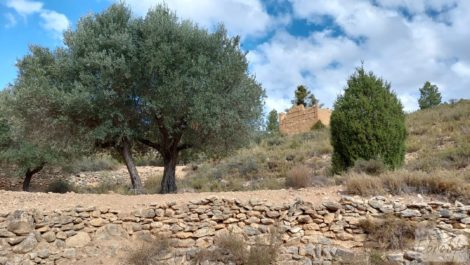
[440, 137]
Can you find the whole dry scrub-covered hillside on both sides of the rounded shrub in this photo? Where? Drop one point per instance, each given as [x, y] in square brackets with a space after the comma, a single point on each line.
[438, 144]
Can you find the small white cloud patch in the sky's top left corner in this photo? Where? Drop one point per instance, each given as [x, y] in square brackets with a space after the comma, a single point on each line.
[52, 21]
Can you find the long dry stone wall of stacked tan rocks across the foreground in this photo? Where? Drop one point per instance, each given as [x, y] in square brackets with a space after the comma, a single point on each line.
[311, 234]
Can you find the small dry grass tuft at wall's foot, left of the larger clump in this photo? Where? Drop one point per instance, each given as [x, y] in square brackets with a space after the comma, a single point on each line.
[149, 252]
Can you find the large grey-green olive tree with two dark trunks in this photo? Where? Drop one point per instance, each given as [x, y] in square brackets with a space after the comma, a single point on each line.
[157, 80]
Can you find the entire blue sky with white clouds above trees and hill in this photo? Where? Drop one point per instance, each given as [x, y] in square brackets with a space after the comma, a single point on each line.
[317, 43]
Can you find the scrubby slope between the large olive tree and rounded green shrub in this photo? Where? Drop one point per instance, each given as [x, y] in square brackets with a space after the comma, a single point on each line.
[269, 164]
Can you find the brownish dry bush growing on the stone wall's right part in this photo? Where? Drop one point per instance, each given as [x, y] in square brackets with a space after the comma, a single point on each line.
[390, 232]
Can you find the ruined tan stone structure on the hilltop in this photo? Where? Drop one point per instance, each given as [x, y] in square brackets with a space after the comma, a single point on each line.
[300, 119]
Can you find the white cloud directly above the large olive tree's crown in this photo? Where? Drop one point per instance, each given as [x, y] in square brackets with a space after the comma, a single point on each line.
[241, 17]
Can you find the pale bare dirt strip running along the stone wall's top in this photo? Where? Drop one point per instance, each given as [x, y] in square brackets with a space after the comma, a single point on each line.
[11, 200]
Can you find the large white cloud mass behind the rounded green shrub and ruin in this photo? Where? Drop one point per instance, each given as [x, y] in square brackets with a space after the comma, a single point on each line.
[405, 51]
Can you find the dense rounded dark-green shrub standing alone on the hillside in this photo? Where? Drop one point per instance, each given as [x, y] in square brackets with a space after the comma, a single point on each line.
[368, 122]
